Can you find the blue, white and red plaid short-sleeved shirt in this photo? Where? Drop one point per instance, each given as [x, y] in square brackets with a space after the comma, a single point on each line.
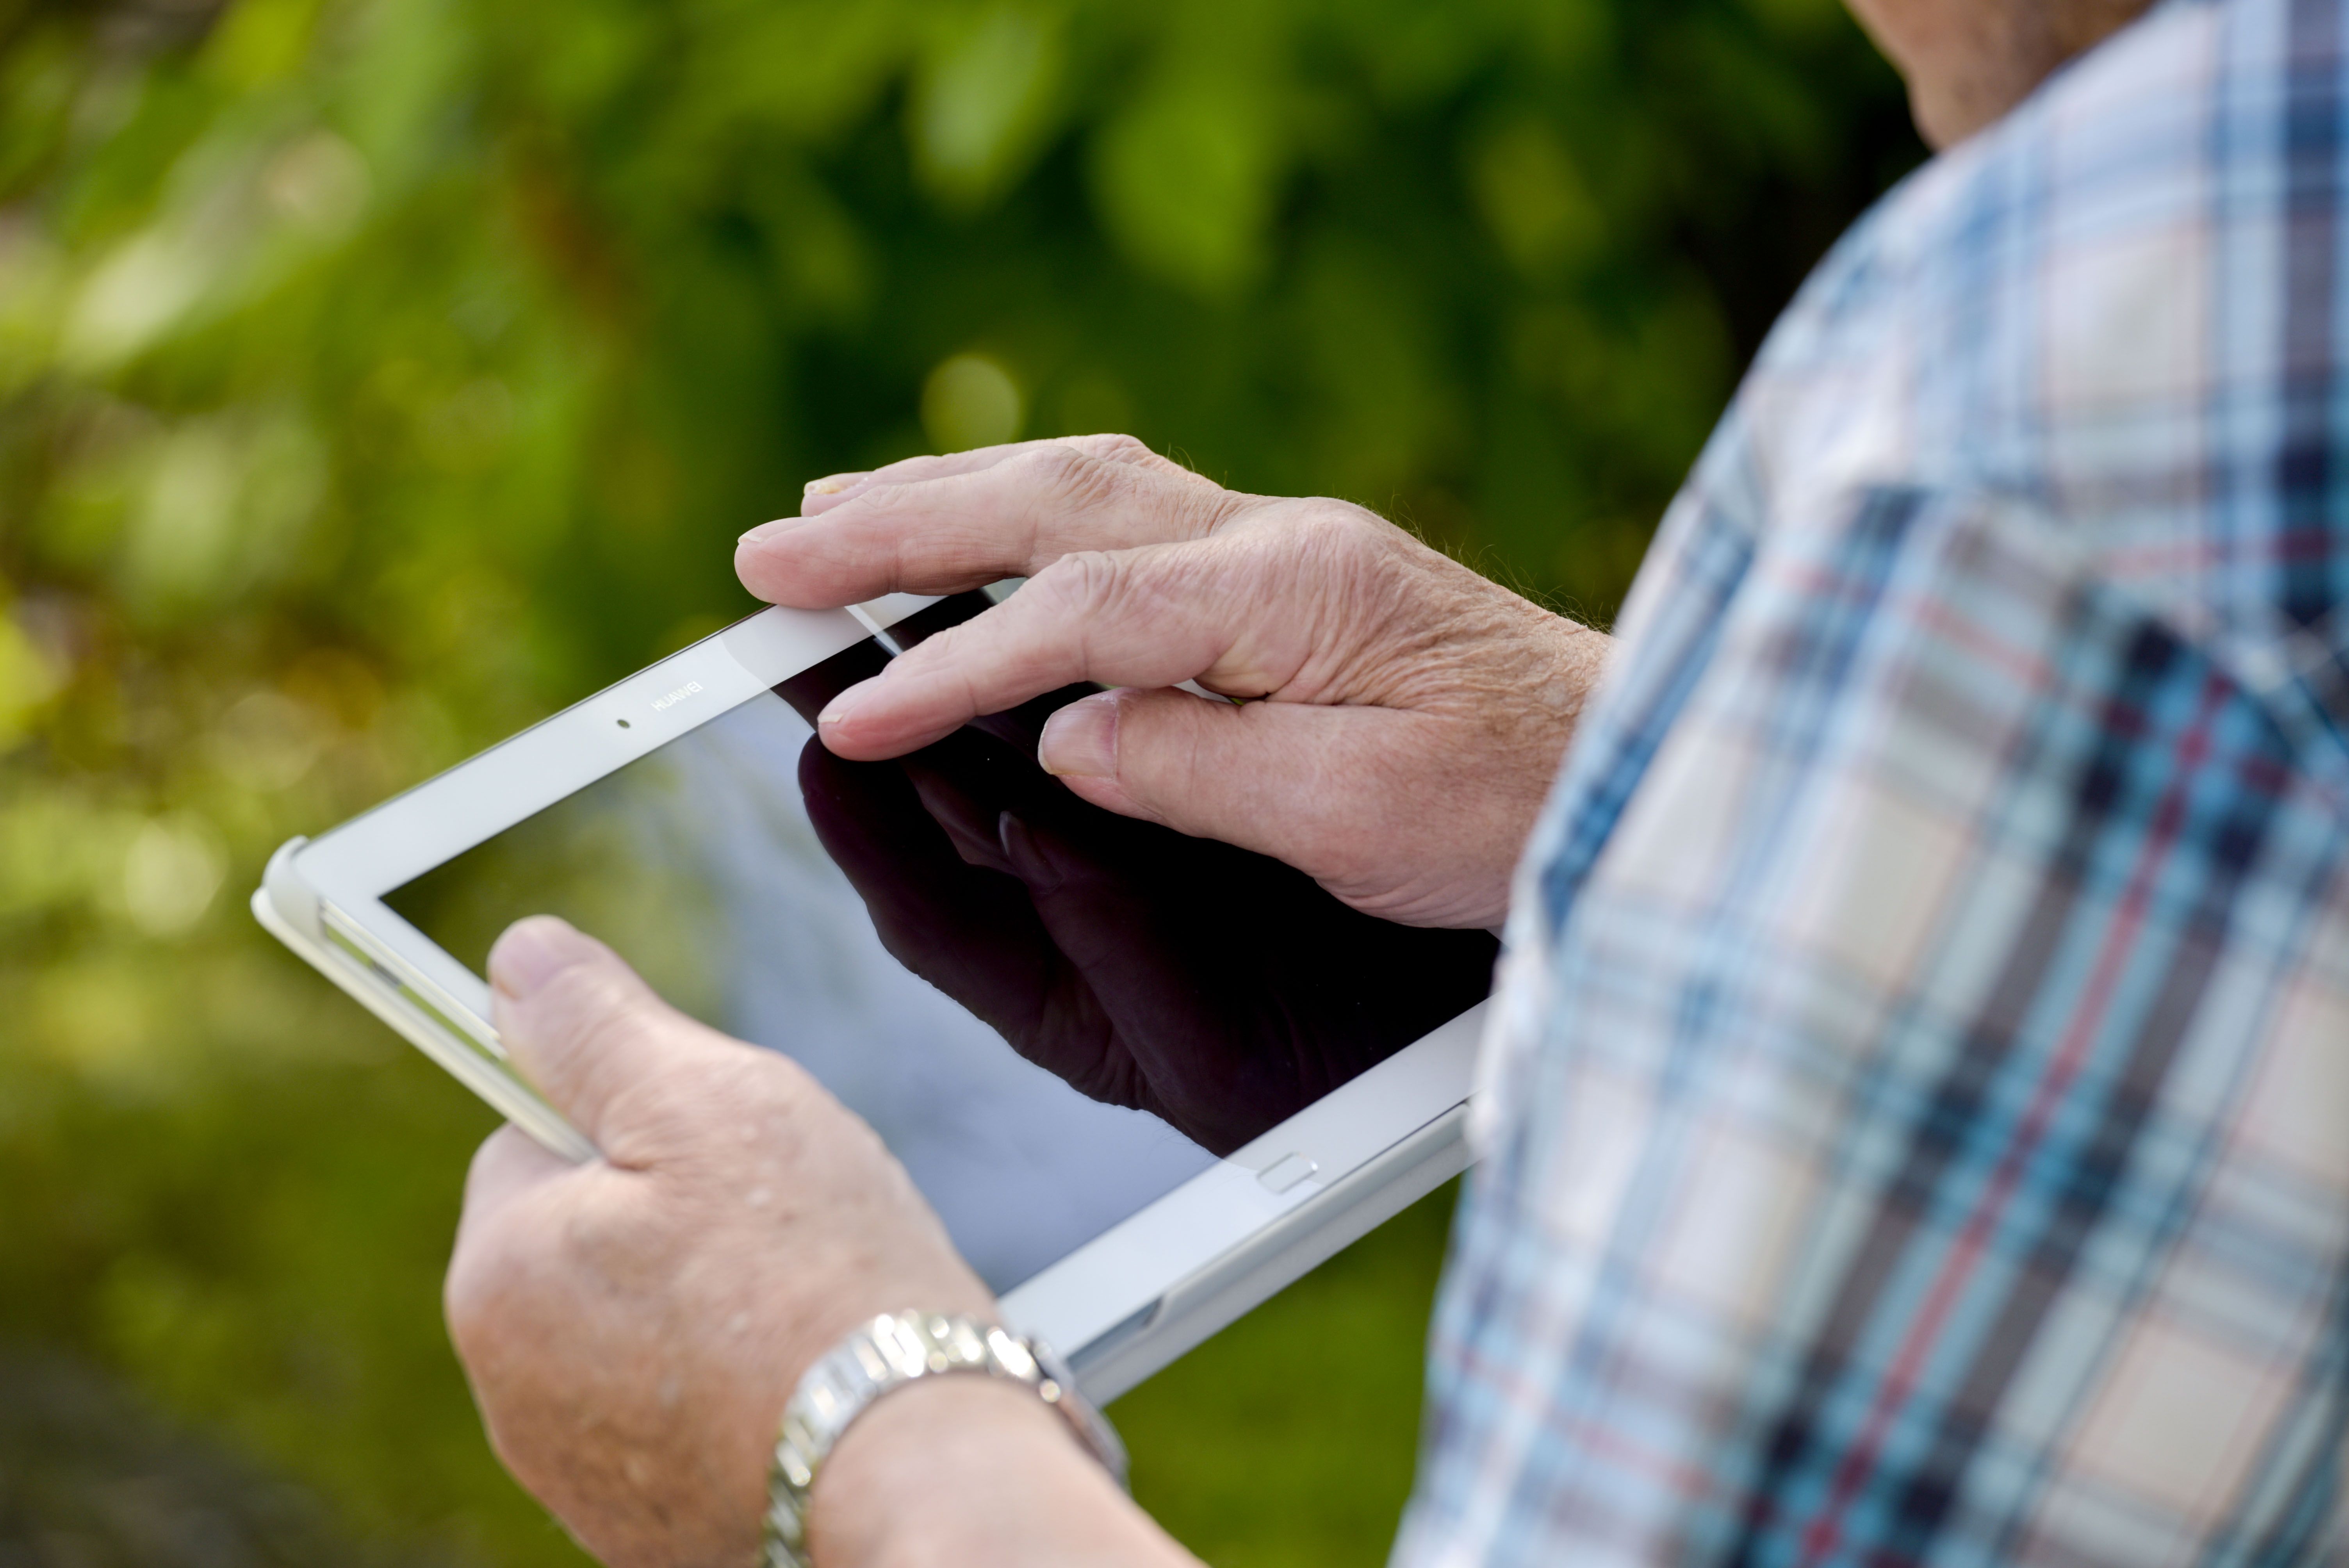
[1918, 1114]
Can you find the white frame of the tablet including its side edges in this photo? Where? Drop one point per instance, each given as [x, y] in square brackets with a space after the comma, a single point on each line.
[1119, 1306]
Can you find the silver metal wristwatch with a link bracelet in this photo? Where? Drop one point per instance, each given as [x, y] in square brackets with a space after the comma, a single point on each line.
[891, 1353]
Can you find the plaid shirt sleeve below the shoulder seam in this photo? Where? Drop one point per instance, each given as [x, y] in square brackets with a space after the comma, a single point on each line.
[1918, 1123]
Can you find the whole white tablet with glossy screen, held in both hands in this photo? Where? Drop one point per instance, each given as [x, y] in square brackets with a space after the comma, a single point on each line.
[1145, 1079]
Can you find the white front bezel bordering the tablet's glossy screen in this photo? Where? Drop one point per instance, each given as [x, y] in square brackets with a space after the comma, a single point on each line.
[330, 895]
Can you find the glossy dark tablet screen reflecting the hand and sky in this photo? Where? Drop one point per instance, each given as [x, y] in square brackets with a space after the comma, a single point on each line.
[1049, 1013]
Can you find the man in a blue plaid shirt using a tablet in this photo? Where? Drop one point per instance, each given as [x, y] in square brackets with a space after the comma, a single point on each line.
[1918, 1116]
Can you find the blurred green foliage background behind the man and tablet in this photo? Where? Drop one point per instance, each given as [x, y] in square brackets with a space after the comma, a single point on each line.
[379, 377]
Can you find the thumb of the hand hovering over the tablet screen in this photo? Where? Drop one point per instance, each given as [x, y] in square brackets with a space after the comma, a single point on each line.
[1291, 780]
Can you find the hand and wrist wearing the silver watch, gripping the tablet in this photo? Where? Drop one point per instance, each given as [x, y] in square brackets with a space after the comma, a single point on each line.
[633, 1327]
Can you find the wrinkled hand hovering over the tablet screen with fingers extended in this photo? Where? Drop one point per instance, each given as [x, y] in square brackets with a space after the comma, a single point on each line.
[1413, 712]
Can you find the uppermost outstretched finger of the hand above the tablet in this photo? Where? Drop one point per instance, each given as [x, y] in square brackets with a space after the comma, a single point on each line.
[967, 529]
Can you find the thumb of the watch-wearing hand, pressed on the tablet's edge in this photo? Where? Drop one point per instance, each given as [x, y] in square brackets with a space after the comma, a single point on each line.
[581, 1027]
